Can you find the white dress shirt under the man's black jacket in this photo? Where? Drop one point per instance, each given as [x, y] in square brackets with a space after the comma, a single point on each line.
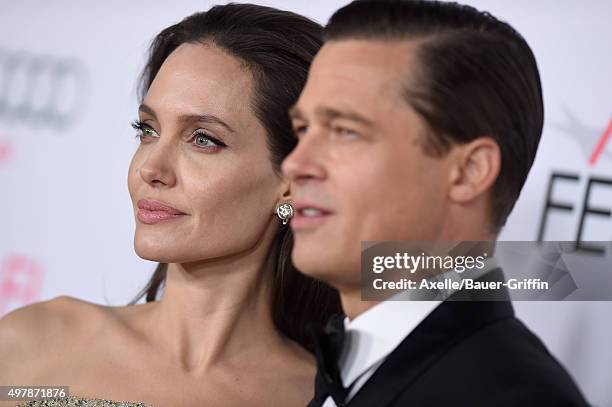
[374, 334]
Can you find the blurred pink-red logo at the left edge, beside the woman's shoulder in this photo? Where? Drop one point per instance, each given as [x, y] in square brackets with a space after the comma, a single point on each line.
[20, 282]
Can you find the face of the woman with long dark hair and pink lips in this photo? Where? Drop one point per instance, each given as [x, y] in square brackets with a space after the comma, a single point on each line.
[204, 153]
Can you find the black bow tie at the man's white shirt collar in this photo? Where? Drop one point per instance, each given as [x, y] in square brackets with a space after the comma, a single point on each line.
[328, 348]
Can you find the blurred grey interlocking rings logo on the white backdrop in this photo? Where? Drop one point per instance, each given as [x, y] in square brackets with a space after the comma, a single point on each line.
[41, 89]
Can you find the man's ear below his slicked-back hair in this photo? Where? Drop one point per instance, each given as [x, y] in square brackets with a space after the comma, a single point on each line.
[474, 170]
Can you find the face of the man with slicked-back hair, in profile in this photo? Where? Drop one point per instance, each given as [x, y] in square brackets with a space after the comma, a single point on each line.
[359, 172]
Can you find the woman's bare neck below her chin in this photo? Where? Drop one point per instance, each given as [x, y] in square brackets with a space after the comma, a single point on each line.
[214, 311]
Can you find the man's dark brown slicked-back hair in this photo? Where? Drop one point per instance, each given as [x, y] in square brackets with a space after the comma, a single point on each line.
[476, 76]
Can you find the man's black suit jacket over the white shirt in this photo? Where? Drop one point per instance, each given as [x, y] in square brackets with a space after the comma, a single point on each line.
[470, 353]
